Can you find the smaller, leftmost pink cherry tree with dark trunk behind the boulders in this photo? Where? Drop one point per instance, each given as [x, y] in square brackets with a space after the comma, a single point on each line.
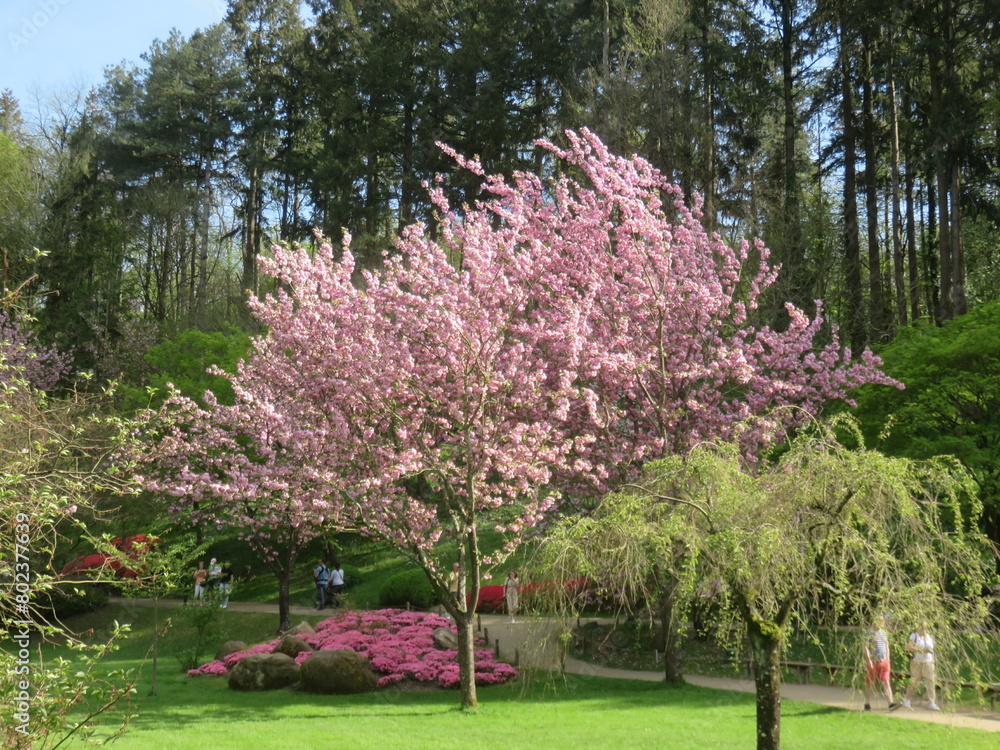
[247, 467]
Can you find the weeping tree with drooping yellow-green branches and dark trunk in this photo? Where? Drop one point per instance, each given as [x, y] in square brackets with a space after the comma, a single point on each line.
[826, 535]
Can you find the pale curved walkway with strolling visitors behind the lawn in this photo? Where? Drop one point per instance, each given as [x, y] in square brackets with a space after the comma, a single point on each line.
[532, 642]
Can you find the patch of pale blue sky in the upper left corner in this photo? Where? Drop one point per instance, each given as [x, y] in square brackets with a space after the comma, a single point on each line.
[56, 45]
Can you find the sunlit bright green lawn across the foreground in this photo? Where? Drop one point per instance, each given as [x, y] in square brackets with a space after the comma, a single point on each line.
[539, 710]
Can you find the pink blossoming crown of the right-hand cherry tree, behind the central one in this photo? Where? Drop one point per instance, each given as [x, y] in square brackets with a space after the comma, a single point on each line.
[672, 355]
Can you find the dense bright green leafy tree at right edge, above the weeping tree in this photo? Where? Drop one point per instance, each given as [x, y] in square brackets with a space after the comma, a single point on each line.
[951, 404]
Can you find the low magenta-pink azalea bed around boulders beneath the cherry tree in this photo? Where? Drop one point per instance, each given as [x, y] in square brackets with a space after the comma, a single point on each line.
[399, 645]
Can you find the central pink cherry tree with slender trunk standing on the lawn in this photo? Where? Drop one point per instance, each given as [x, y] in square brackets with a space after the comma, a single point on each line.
[449, 388]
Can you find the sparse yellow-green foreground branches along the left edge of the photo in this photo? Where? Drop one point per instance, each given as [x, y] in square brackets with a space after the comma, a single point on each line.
[53, 462]
